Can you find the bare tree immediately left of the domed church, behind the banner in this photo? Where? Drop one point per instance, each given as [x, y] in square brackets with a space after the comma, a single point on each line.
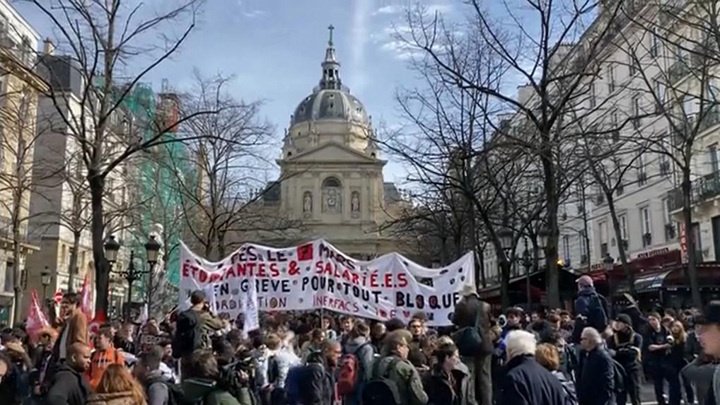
[220, 179]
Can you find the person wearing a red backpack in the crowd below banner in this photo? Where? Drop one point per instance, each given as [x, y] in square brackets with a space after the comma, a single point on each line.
[355, 366]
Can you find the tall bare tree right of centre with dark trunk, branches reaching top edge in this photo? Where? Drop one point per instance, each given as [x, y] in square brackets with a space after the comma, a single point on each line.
[554, 73]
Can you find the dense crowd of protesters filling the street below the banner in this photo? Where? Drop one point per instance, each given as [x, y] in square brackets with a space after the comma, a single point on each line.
[552, 357]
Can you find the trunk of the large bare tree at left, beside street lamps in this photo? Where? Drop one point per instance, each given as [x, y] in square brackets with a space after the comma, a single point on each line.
[97, 229]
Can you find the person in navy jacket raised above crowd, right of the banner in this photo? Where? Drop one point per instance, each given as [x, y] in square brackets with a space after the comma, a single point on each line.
[591, 308]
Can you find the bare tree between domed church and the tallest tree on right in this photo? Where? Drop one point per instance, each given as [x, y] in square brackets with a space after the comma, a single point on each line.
[454, 153]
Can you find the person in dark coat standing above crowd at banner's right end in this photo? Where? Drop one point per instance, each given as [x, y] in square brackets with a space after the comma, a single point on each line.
[470, 311]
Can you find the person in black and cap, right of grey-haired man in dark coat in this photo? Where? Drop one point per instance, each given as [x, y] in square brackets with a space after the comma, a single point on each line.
[625, 347]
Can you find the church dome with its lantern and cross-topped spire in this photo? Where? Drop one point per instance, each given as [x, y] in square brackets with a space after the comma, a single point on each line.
[330, 100]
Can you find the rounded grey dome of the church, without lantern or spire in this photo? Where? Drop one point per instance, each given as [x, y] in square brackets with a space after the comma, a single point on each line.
[330, 104]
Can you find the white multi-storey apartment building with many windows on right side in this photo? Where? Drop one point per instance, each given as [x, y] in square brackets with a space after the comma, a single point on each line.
[653, 106]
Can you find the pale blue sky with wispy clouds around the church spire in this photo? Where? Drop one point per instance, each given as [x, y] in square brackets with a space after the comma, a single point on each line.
[273, 48]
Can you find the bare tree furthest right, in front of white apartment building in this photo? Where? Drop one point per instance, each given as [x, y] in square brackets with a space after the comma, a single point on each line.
[673, 46]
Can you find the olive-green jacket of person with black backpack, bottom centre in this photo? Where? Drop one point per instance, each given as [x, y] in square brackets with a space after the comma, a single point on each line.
[405, 376]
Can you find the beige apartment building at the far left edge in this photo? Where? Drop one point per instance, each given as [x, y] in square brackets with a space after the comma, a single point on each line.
[18, 107]
